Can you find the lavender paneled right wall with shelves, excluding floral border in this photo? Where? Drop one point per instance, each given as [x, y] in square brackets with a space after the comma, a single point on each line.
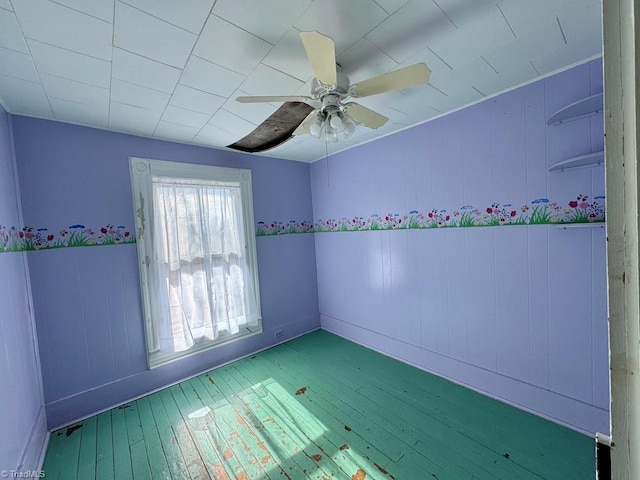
[518, 312]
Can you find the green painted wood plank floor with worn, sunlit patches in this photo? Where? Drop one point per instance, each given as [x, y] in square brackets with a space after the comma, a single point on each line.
[318, 407]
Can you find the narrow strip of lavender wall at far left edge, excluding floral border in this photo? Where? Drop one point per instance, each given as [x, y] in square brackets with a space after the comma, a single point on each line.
[22, 416]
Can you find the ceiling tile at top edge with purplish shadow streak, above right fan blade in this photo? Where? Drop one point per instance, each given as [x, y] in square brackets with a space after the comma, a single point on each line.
[410, 29]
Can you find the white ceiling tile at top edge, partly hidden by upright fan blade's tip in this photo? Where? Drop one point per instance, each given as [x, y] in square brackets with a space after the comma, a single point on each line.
[345, 22]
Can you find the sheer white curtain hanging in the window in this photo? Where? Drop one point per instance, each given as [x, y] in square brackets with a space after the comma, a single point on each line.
[205, 282]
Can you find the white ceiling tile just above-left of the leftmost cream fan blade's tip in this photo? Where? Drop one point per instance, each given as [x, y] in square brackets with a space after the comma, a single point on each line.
[209, 77]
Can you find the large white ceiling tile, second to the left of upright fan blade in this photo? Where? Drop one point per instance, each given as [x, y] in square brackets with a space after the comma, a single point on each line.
[229, 46]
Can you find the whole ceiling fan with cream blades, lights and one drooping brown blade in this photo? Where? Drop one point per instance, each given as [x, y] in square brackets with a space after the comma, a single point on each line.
[328, 111]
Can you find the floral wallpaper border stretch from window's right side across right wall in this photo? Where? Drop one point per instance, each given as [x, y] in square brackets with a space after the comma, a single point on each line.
[541, 211]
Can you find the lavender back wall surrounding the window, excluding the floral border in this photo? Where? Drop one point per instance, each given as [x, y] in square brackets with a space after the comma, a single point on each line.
[87, 301]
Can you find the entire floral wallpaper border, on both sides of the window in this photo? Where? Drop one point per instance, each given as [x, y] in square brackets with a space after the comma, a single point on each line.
[541, 211]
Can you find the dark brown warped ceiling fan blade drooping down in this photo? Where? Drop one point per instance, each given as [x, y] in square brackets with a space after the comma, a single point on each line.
[275, 130]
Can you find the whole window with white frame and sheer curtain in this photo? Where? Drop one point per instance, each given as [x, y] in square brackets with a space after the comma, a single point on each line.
[197, 253]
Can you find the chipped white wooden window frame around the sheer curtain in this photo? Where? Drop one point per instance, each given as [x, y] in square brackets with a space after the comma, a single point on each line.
[143, 170]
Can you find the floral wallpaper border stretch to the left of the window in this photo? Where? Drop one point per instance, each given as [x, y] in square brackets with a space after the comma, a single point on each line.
[14, 239]
